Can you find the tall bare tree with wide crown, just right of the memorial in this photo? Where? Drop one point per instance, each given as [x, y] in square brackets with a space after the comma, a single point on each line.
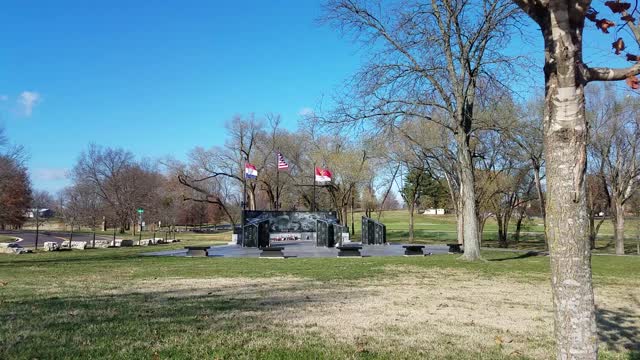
[430, 58]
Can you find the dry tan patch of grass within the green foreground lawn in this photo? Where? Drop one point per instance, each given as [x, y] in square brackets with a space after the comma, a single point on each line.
[417, 313]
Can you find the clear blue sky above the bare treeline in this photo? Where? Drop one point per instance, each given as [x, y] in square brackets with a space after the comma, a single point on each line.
[159, 78]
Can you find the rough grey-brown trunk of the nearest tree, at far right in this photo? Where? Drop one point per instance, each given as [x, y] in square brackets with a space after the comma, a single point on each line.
[565, 137]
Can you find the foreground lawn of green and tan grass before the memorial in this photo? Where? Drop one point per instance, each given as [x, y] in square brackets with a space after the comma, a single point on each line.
[114, 303]
